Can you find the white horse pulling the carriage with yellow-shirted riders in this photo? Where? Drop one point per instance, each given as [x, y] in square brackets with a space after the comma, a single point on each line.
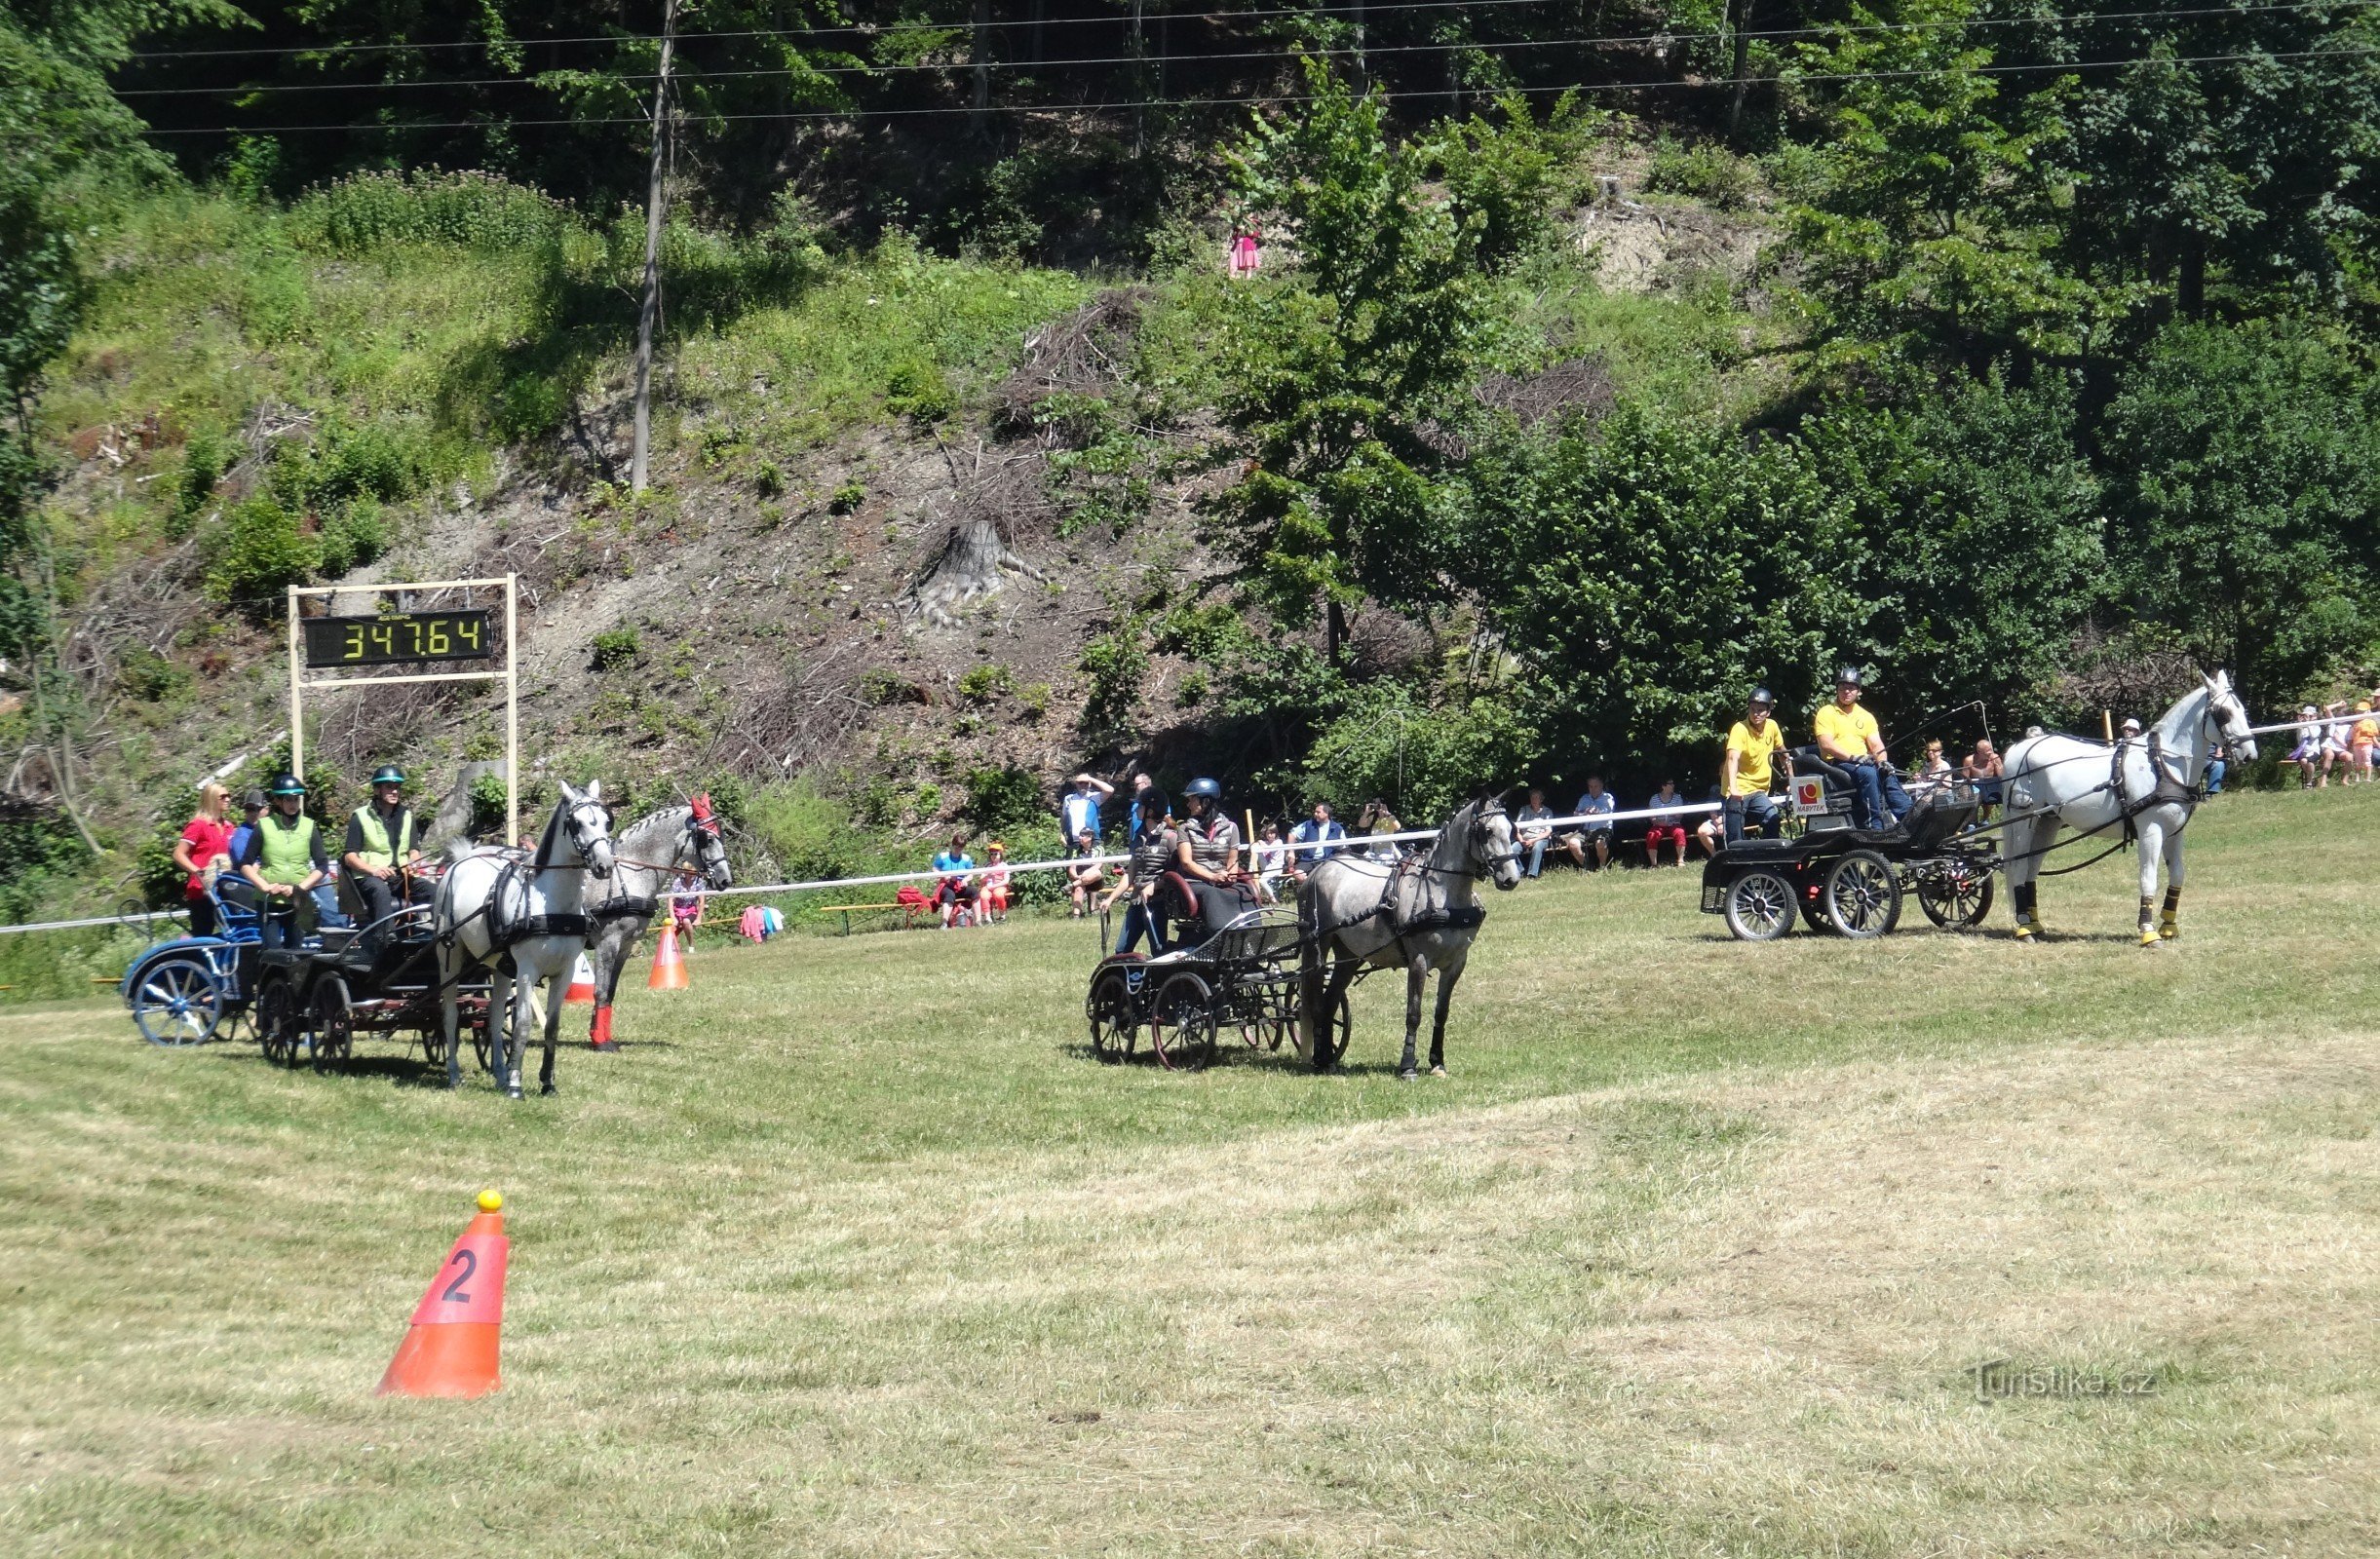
[2157, 779]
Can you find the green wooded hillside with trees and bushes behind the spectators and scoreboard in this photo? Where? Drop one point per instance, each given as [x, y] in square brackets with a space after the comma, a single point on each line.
[2029, 368]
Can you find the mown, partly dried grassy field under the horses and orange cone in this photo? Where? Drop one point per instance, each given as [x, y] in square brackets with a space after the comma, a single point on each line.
[858, 1253]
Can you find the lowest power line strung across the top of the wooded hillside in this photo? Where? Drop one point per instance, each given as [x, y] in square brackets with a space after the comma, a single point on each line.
[1272, 101]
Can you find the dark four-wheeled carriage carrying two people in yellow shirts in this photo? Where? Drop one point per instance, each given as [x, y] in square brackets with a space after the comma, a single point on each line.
[1853, 882]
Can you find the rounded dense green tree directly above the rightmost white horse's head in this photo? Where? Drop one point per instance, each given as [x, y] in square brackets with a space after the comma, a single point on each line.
[2246, 489]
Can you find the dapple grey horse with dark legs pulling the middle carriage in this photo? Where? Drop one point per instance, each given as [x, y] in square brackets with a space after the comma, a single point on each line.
[1413, 915]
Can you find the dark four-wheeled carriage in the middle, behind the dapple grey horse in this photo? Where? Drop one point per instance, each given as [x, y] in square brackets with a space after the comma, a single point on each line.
[1239, 982]
